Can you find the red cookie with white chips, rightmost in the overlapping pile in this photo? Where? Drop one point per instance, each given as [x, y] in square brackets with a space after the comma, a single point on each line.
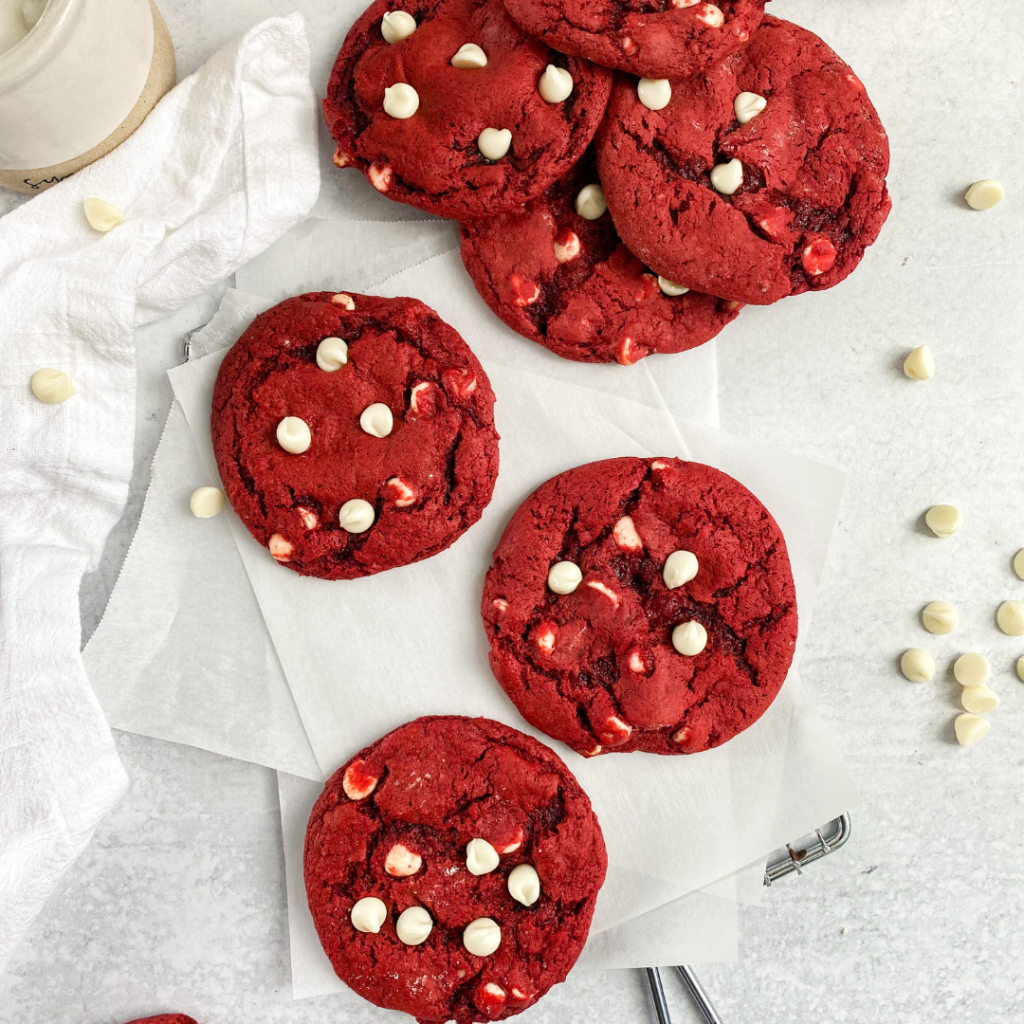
[815, 162]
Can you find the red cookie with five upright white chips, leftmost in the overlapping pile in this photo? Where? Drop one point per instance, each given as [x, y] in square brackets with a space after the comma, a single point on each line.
[432, 159]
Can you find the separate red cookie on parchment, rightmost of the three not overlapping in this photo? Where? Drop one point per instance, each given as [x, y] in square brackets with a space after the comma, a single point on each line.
[598, 668]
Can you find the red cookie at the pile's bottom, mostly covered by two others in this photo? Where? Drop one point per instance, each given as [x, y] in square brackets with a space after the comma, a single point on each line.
[571, 285]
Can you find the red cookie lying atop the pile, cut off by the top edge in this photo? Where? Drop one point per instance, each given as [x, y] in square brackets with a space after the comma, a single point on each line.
[650, 38]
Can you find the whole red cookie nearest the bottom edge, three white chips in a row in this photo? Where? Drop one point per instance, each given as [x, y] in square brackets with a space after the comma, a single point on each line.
[433, 787]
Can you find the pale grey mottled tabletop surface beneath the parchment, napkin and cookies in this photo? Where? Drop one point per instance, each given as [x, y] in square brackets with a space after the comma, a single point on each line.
[180, 902]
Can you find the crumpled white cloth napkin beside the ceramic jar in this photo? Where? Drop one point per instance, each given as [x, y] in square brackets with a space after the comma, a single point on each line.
[223, 167]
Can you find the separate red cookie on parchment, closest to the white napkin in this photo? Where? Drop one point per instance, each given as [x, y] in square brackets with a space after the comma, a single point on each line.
[415, 490]
